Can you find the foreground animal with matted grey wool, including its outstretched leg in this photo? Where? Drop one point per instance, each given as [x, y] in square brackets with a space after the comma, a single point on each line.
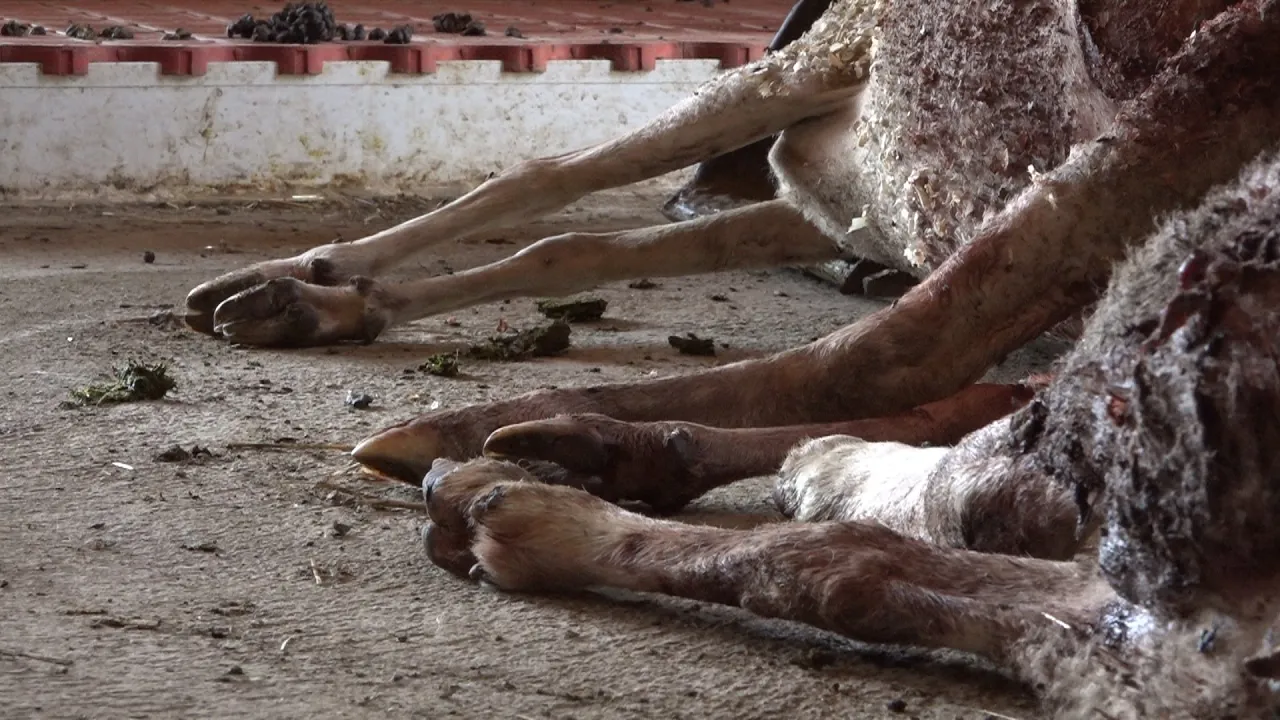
[1109, 635]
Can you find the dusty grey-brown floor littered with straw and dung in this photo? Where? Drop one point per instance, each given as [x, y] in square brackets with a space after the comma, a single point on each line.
[235, 587]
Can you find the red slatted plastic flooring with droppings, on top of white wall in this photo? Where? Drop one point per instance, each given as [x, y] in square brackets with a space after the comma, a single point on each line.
[632, 34]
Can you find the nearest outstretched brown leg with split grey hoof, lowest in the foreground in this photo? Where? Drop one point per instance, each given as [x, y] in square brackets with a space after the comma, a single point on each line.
[492, 523]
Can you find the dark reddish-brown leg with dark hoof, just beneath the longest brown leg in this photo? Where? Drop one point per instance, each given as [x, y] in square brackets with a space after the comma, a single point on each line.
[668, 464]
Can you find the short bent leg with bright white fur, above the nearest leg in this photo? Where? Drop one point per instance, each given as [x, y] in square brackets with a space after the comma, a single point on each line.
[981, 495]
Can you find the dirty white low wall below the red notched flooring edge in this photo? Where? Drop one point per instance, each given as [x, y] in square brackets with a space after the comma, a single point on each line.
[126, 133]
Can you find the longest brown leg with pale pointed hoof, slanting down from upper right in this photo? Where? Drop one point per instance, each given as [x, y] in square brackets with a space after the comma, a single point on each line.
[1213, 108]
